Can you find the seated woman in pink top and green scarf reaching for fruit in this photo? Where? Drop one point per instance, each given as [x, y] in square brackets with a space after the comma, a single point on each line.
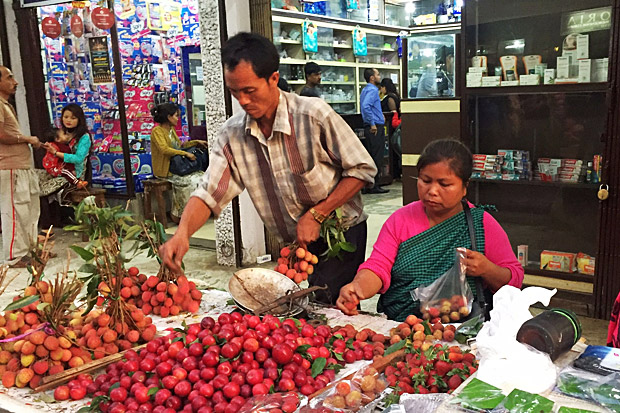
[417, 243]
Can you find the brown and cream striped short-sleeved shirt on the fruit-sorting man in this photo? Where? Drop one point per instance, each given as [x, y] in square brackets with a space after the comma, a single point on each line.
[310, 150]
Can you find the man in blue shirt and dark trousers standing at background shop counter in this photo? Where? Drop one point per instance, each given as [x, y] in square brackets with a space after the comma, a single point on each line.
[374, 121]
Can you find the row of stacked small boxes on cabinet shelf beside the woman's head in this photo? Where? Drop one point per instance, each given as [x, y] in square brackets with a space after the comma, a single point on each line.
[507, 165]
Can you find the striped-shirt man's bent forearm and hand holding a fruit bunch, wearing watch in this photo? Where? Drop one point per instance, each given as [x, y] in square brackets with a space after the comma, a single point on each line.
[308, 229]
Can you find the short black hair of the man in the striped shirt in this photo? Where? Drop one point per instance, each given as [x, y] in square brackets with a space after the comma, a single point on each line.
[254, 49]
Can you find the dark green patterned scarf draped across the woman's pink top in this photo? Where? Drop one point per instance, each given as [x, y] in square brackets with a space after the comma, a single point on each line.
[424, 258]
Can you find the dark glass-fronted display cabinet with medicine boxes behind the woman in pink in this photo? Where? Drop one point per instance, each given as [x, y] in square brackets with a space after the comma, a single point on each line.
[534, 112]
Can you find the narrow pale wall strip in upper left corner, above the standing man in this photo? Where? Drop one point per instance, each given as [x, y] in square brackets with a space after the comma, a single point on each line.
[16, 67]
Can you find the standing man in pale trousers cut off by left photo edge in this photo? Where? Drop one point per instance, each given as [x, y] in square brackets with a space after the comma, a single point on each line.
[19, 185]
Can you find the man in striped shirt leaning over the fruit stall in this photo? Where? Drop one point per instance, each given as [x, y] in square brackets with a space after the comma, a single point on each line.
[297, 158]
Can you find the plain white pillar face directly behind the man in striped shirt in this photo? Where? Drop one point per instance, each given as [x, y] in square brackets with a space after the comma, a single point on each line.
[252, 228]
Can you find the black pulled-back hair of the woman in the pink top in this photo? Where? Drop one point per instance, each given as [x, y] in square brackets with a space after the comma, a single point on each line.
[452, 151]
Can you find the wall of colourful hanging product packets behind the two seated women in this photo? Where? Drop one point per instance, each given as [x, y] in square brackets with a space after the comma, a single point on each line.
[80, 69]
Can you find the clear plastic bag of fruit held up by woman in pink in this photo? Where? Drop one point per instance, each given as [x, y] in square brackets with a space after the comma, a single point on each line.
[449, 298]
